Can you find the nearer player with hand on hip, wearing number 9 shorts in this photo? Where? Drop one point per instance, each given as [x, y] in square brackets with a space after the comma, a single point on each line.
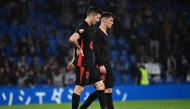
[83, 62]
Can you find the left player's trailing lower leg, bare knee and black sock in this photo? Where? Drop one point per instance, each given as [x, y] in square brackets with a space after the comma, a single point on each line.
[76, 96]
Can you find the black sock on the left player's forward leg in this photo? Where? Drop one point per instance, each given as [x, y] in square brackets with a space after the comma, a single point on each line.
[102, 98]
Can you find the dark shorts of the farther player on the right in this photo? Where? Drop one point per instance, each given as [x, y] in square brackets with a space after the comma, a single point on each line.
[108, 77]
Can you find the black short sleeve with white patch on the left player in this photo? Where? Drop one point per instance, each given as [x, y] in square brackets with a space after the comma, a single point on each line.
[82, 30]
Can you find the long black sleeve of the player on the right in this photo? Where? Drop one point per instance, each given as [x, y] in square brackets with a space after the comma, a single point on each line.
[96, 47]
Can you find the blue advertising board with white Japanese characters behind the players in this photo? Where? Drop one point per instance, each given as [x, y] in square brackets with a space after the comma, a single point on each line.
[120, 93]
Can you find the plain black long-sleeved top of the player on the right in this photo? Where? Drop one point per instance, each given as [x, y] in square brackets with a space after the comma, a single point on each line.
[101, 43]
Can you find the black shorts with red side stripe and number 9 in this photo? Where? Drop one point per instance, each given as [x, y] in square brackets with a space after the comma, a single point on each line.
[86, 75]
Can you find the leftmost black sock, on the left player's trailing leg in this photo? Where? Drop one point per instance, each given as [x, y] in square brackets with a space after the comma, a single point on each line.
[75, 101]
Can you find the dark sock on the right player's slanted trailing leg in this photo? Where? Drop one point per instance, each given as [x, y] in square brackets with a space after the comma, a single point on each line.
[89, 100]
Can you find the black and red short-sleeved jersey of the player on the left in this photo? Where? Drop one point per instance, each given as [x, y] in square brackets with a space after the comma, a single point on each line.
[85, 43]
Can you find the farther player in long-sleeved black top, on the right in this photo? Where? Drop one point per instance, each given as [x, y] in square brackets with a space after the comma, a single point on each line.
[101, 44]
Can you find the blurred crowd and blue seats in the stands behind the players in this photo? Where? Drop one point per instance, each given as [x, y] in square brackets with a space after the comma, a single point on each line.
[34, 46]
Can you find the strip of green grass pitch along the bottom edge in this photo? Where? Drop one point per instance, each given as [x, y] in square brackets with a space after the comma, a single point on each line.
[144, 104]
